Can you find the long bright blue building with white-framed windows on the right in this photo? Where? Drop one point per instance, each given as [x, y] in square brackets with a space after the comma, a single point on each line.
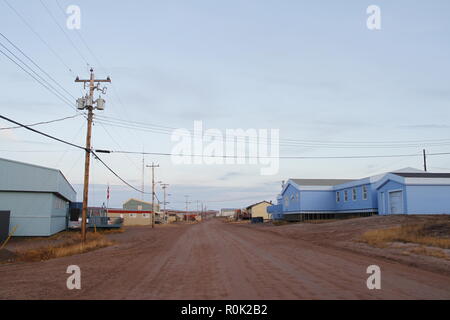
[408, 191]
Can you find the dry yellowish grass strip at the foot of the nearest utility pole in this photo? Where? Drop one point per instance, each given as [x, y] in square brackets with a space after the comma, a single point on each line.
[72, 245]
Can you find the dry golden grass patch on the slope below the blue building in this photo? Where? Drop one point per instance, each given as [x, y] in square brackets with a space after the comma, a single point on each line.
[428, 234]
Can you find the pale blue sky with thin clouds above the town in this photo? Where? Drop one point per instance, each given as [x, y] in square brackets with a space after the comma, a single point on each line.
[311, 69]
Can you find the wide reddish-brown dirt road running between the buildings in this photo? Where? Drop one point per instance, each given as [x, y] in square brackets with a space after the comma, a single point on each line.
[215, 260]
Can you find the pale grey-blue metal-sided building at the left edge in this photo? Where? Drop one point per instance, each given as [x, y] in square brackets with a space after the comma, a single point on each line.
[37, 197]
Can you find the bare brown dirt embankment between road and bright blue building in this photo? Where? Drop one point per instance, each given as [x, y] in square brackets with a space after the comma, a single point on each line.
[348, 235]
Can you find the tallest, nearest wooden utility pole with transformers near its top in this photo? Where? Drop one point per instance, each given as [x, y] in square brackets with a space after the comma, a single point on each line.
[87, 102]
